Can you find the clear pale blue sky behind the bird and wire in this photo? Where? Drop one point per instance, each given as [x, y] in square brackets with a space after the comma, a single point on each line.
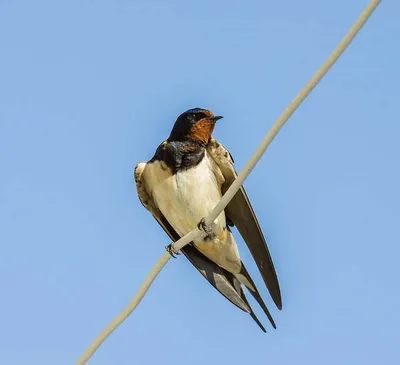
[90, 88]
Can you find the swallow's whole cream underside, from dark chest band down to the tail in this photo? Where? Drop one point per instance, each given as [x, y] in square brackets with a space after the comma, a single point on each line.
[187, 197]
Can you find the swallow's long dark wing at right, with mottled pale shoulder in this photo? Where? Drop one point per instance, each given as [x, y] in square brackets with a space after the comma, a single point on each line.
[240, 212]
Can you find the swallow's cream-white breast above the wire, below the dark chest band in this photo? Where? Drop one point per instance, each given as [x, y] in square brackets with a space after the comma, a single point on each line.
[187, 196]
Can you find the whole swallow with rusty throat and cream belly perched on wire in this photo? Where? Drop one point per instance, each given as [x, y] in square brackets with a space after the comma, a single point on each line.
[181, 184]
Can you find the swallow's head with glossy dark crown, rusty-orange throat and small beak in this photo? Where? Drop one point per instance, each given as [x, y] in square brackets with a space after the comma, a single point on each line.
[194, 125]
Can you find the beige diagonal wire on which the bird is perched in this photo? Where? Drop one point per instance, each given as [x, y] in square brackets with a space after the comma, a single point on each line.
[237, 183]
